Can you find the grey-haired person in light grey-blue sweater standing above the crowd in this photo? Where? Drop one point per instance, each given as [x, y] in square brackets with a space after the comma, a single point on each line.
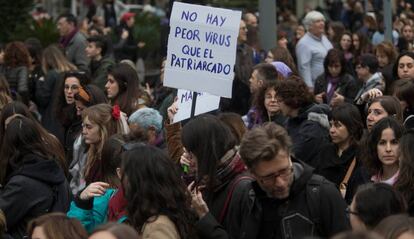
[312, 48]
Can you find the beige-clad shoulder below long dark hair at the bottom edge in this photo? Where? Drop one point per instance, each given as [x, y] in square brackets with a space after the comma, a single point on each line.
[160, 227]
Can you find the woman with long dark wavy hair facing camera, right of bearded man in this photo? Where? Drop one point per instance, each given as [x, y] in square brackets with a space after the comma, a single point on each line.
[381, 151]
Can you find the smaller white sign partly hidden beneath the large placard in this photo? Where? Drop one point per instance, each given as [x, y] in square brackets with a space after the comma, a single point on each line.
[204, 103]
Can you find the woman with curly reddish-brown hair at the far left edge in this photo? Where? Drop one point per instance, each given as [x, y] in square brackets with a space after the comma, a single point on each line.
[17, 64]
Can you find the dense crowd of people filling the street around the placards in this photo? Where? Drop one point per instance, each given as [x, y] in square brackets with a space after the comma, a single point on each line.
[316, 140]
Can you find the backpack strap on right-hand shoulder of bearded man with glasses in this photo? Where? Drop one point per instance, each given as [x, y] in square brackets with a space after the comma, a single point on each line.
[313, 198]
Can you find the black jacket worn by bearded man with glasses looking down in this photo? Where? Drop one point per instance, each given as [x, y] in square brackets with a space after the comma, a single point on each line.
[289, 218]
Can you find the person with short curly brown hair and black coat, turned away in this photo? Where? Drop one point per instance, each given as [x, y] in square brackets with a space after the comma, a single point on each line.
[307, 123]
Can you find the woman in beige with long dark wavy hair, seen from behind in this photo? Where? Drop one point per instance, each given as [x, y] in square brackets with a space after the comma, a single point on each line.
[158, 201]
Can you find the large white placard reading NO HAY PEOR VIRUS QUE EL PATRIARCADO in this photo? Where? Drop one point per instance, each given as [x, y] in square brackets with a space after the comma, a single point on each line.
[202, 49]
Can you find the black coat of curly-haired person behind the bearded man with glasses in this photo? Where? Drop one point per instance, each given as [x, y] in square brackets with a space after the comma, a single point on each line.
[309, 131]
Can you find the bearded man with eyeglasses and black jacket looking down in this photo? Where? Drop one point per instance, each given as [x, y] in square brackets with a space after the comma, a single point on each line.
[287, 200]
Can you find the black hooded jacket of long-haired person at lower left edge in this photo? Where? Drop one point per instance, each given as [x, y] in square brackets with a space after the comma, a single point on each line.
[37, 187]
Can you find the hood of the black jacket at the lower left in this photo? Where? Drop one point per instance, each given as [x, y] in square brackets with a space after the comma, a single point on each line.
[36, 167]
